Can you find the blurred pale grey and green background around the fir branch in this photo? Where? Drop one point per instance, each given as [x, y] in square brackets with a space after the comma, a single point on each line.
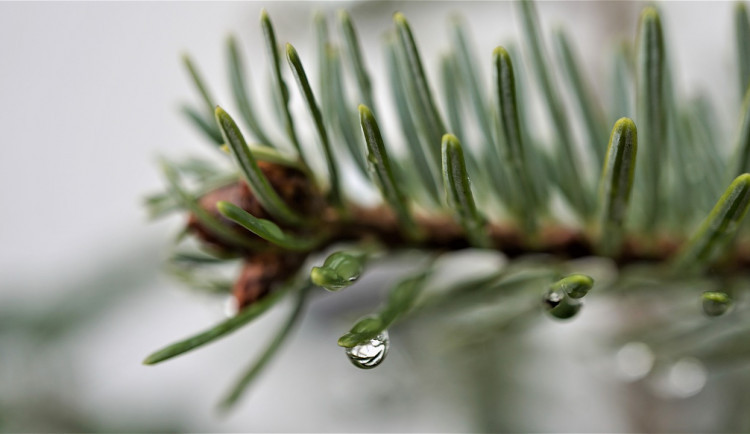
[90, 95]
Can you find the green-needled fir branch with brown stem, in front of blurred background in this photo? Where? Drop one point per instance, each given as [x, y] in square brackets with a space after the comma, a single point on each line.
[444, 192]
